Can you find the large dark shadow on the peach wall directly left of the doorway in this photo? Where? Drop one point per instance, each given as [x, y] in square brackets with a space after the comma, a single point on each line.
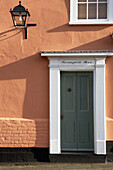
[35, 70]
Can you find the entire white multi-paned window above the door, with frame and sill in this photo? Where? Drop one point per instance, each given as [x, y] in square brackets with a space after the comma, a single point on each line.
[91, 11]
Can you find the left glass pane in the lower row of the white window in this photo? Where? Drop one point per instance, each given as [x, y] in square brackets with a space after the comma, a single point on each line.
[82, 11]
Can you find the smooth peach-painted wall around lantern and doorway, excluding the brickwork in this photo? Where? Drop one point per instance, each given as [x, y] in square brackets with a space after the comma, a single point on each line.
[24, 74]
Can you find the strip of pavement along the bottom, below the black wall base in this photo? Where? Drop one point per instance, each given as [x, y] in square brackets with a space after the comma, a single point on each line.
[60, 166]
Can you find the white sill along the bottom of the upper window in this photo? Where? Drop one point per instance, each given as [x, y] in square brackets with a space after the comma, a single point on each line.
[91, 23]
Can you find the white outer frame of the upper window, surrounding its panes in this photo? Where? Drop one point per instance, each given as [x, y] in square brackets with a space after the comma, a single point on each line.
[74, 14]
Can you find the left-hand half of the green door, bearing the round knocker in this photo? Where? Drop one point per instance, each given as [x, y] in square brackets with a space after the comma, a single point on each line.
[68, 91]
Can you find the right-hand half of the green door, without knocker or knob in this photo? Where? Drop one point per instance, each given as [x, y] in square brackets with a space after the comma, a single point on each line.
[85, 110]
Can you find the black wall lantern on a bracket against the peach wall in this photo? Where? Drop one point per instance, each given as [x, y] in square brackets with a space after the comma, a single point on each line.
[20, 17]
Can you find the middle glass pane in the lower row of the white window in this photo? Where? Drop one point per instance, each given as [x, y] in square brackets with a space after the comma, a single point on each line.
[92, 11]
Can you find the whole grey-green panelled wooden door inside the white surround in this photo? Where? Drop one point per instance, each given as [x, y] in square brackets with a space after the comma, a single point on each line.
[77, 111]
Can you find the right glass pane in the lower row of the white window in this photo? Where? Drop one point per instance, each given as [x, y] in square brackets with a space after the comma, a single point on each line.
[102, 11]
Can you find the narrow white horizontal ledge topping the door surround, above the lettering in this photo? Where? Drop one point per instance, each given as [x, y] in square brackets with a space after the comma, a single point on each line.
[76, 54]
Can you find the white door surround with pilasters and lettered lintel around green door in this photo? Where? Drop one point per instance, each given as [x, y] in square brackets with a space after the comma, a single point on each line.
[95, 63]
